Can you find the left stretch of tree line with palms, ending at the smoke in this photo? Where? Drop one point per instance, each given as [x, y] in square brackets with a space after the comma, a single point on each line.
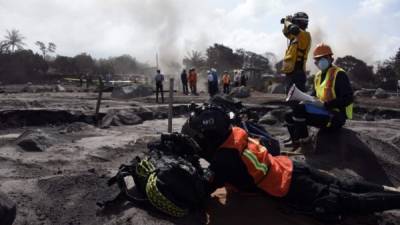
[21, 65]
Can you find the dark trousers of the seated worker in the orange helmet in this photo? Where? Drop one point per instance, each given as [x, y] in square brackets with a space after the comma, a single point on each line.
[303, 115]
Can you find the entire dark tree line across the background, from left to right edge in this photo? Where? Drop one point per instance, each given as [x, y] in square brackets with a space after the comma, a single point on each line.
[20, 65]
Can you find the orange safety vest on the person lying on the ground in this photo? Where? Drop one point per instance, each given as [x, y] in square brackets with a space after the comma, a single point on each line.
[272, 174]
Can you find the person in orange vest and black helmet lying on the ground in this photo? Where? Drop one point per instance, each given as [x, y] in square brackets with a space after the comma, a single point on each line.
[242, 162]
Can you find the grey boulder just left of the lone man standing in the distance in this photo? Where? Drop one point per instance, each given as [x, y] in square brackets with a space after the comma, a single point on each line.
[132, 91]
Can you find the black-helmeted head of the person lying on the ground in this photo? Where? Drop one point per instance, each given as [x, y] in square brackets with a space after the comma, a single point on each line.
[209, 126]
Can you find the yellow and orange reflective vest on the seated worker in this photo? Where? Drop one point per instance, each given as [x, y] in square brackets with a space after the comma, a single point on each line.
[325, 90]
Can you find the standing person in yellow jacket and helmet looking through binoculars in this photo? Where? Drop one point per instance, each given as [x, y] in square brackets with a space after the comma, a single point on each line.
[294, 62]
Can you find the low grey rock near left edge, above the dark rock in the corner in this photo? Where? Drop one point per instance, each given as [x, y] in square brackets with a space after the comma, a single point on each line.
[34, 141]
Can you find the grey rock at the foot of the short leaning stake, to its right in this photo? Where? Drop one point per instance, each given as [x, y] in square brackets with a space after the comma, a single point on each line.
[120, 117]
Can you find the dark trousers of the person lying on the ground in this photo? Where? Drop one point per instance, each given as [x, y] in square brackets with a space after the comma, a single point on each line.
[323, 194]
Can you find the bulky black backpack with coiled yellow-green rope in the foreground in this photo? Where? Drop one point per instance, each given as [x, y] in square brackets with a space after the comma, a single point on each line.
[169, 177]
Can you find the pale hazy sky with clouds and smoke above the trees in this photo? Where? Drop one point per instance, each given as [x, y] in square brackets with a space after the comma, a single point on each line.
[368, 29]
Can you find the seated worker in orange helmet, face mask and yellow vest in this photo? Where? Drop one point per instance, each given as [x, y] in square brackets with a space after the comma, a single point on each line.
[334, 103]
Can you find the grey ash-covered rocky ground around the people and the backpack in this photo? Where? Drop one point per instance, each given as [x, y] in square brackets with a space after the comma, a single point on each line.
[61, 181]
